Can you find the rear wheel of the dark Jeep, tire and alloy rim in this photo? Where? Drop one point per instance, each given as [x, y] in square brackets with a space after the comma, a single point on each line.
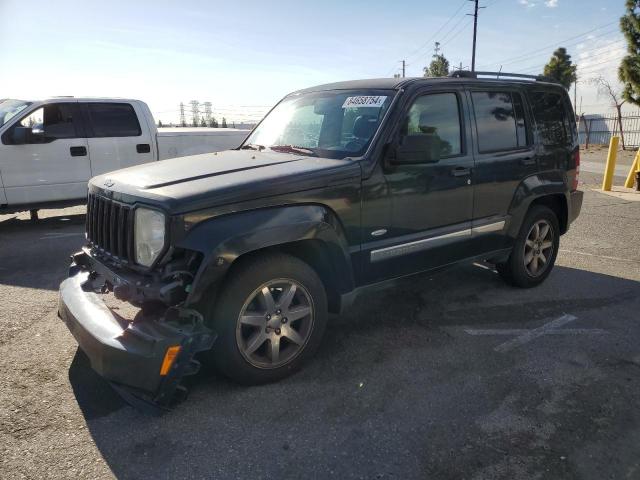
[530, 249]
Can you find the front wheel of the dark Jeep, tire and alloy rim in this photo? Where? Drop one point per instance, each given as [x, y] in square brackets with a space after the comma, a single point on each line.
[243, 316]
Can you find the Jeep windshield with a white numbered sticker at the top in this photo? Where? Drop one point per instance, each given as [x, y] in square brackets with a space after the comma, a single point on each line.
[330, 124]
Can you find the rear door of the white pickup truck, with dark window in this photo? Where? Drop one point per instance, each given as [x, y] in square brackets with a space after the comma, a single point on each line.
[118, 136]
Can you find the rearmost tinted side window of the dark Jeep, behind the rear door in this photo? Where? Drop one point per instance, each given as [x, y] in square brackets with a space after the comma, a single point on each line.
[551, 118]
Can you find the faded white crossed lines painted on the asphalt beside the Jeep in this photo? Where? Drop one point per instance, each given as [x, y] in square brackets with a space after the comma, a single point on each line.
[524, 335]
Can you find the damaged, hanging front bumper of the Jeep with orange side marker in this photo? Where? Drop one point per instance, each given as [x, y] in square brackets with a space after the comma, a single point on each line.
[131, 353]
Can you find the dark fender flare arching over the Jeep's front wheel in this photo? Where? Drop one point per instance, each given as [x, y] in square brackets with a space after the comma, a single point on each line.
[222, 240]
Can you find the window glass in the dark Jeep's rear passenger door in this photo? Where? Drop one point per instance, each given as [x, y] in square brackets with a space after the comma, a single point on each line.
[500, 121]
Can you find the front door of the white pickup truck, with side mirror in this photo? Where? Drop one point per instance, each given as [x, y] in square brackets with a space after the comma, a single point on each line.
[53, 164]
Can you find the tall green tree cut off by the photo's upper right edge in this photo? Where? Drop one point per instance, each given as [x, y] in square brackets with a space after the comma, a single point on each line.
[629, 70]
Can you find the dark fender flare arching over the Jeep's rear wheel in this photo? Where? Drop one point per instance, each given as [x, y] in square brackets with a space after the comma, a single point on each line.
[532, 188]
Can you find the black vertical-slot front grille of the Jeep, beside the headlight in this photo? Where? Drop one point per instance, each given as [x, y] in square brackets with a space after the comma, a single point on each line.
[110, 227]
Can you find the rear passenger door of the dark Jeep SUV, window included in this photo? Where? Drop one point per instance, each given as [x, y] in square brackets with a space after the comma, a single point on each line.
[505, 156]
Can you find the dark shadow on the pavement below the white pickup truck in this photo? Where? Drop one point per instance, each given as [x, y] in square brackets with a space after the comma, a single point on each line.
[36, 254]
